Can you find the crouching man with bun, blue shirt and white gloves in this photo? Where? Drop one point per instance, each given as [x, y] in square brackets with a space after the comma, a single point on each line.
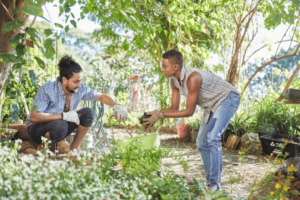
[55, 117]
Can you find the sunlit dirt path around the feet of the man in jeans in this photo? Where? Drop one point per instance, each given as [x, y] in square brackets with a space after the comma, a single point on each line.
[243, 176]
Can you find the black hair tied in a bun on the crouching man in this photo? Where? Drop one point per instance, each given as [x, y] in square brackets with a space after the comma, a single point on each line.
[67, 66]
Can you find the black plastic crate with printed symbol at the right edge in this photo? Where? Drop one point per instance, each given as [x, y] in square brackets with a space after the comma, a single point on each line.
[271, 144]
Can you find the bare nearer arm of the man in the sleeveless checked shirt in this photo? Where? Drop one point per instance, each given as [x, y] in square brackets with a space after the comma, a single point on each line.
[193, 85]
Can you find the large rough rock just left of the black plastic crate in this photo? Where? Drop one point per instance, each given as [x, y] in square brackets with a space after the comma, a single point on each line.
[251, 142]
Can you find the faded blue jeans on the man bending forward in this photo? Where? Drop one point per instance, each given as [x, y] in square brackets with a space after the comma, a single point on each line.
[209, 138]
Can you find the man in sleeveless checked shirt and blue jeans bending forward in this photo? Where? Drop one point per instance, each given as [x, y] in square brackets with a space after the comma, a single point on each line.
[219, 99]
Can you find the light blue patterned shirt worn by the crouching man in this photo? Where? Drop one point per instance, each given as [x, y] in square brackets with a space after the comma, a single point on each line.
[51, 98]
